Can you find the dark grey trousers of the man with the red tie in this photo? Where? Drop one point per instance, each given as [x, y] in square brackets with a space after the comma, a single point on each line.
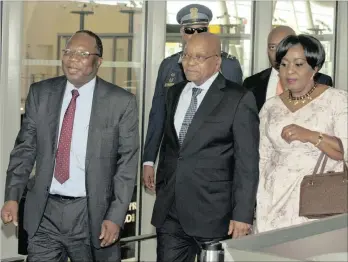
[64, 232]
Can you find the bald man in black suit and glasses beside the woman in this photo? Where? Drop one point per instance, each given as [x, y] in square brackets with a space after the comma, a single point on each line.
[208, 173]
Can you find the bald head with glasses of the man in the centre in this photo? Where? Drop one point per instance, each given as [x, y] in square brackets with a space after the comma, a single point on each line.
[202, 57]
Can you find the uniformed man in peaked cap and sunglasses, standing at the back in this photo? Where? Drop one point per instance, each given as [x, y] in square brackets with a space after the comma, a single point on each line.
[194, 19]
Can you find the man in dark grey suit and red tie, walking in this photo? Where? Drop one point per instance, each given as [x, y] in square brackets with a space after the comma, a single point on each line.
[82, 132]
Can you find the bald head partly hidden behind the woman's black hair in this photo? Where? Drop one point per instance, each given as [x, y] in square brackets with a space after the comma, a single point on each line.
[274, 38]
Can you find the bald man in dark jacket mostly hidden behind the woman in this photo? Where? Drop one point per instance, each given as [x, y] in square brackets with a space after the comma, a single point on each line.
[265, 84]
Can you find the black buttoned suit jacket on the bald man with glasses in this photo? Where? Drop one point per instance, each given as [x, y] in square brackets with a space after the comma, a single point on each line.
[213, 176]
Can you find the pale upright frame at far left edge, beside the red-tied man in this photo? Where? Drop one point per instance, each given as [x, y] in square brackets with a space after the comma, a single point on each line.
[10, 94]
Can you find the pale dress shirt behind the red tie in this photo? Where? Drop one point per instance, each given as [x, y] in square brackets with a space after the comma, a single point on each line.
[75, 185]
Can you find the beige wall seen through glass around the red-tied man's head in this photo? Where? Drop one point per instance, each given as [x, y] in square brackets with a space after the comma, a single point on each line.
[43, 21]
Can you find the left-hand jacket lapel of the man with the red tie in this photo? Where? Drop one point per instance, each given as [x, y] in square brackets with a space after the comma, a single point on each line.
[55, 100]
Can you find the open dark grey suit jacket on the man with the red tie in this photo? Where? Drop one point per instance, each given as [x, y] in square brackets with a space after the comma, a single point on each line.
[111, 157]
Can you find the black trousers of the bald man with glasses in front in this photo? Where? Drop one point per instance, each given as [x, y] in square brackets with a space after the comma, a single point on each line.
[173, 244]
